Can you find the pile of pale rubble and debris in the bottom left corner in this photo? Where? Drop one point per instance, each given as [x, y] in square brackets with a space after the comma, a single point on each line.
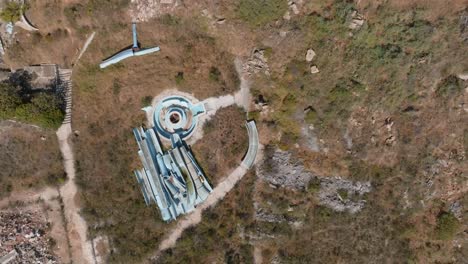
[23, 237]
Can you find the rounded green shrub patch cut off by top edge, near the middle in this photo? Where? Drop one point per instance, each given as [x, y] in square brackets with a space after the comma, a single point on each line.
[261, 12]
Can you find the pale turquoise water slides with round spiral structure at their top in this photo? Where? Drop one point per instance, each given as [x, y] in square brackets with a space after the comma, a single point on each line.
[171, 179]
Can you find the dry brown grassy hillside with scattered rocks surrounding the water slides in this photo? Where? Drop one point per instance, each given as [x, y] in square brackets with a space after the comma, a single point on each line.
[385, 107]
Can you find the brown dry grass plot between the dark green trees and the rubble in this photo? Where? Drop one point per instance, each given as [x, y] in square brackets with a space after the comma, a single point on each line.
[28, 162]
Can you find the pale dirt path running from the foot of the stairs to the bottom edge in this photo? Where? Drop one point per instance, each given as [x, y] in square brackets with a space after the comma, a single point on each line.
[81, 248]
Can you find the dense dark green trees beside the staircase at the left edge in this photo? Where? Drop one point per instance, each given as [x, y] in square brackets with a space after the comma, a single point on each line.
[43, 108]
